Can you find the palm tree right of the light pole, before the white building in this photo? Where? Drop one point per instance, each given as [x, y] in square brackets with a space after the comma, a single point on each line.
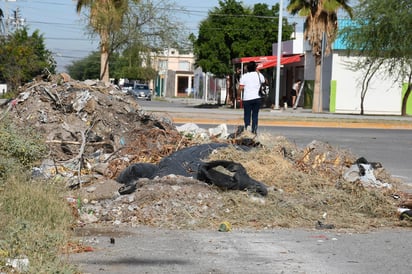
[321, 21]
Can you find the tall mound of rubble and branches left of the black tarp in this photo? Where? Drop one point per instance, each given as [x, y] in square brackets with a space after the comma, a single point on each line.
[90, 127]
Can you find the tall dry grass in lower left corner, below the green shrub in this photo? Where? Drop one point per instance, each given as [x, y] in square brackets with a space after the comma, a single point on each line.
[34, 224]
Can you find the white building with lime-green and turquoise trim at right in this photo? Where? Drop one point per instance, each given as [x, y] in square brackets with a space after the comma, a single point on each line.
[342, 84]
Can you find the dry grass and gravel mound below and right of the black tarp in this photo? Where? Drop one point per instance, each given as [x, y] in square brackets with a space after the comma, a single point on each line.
[305, 186]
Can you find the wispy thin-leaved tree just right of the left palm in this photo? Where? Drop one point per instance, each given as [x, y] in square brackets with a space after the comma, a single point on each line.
[148, 28]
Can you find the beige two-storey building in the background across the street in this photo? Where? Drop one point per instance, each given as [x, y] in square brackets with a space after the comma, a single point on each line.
[175, 73]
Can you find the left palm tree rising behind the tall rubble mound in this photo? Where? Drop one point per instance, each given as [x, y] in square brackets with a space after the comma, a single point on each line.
[106, 17]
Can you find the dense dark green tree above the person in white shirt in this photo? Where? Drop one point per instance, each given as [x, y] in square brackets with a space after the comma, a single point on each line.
[233, 30]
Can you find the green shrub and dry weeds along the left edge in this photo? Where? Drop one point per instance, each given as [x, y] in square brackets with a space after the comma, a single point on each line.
[35, 219]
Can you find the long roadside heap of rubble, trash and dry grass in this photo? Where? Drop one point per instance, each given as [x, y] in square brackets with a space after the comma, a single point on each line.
[95, 132]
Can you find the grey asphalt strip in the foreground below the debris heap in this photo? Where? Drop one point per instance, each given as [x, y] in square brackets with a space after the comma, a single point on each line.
[150, 250]
